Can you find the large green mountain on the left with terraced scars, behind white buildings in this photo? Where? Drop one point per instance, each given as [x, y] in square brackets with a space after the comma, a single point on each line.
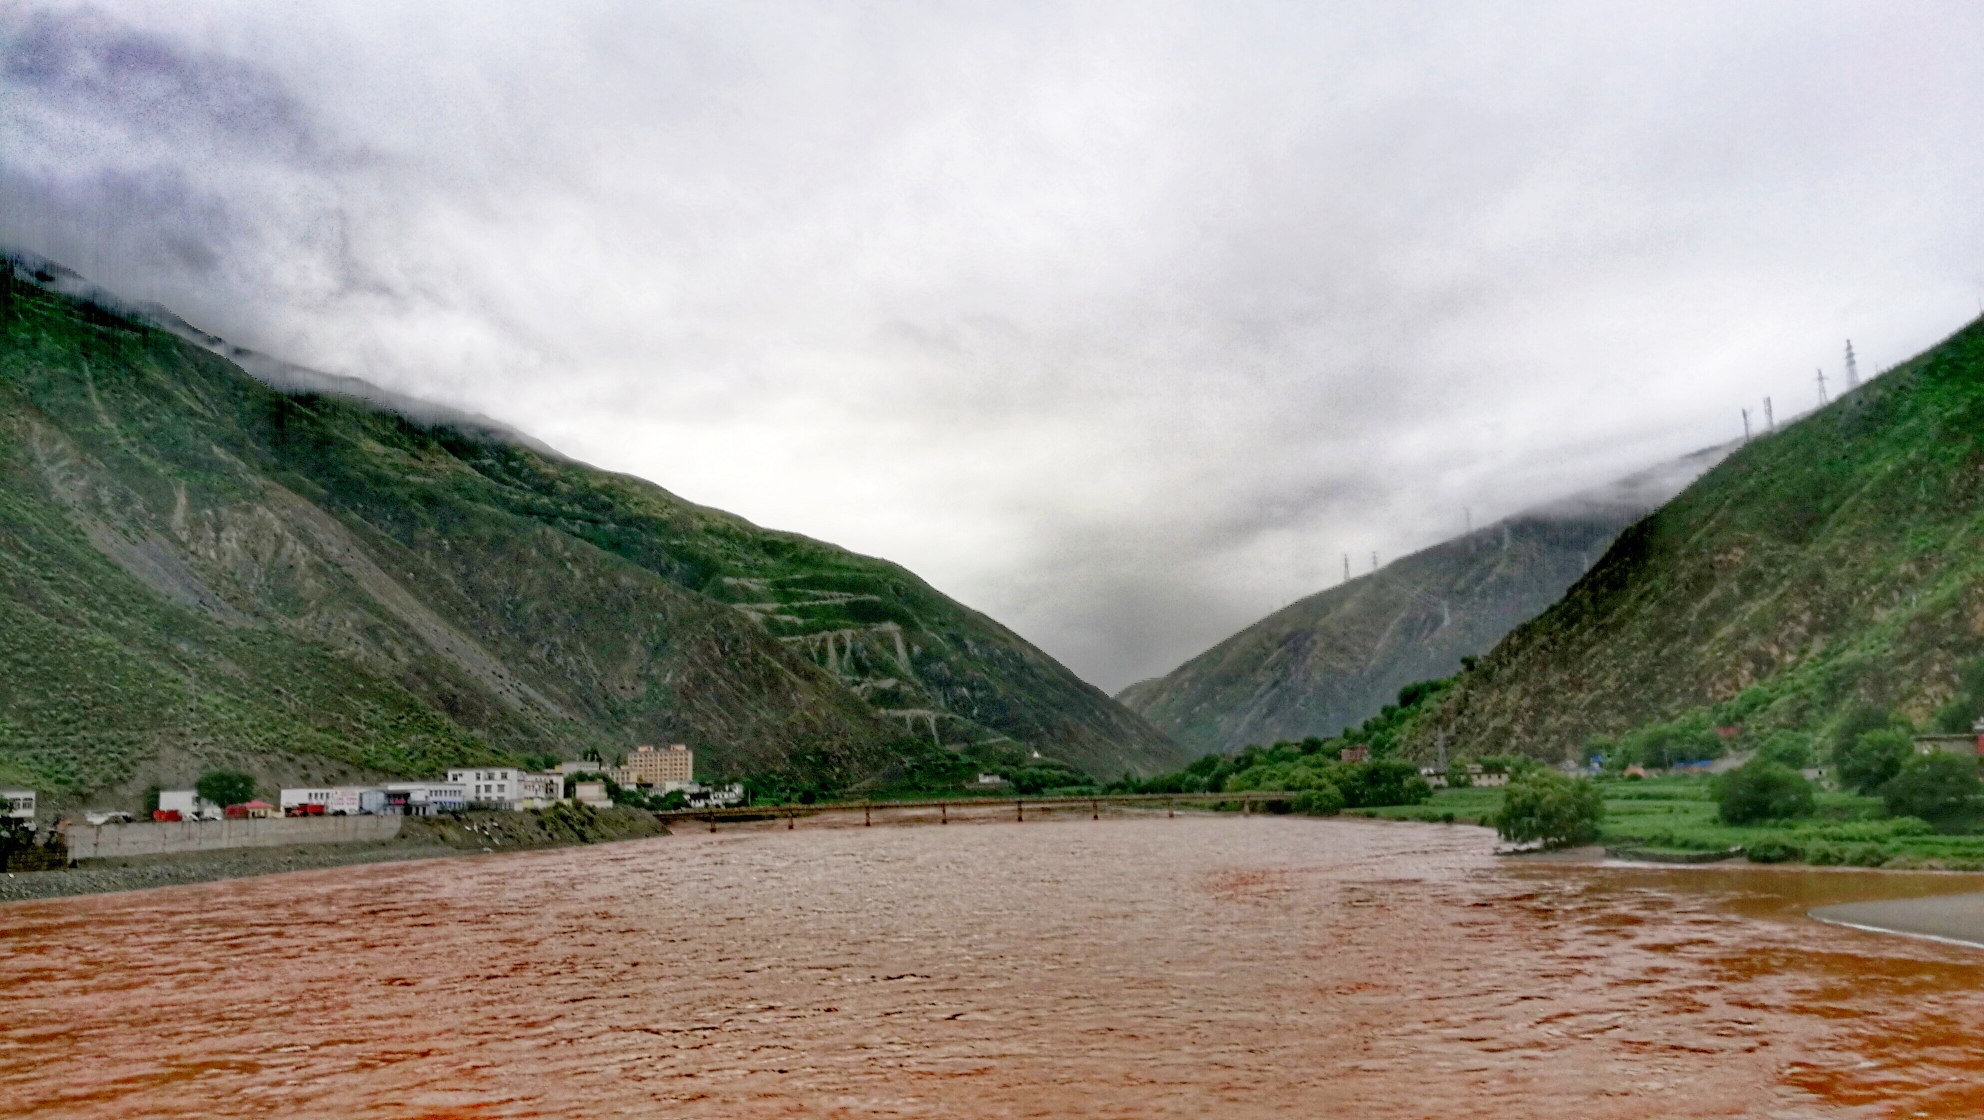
[211, 556]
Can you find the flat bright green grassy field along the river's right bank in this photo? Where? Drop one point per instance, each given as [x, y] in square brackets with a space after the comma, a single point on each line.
[1675, 818]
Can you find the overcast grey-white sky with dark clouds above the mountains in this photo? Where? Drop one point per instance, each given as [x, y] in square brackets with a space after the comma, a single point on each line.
[1118, 322]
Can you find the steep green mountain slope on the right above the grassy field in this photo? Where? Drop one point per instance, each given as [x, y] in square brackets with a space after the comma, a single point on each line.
[1814, 572]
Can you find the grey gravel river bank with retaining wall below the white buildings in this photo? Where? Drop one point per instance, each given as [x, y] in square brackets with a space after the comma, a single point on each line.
[420, 840]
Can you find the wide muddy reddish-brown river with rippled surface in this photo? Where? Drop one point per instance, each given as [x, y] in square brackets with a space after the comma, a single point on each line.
[1140, 966]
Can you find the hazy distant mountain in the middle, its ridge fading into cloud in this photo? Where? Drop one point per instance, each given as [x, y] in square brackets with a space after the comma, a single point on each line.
[1338, 657]
